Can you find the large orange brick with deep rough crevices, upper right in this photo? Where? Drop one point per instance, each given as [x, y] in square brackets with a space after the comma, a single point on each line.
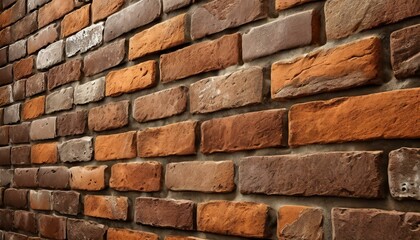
[342, 67]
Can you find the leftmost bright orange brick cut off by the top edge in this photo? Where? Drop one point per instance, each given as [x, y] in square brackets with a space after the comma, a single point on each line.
[54, 10]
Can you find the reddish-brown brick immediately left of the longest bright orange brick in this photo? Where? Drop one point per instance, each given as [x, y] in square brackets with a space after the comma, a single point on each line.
[266, 131]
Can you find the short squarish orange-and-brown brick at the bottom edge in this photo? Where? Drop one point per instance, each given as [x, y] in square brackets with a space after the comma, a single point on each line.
[299, 222]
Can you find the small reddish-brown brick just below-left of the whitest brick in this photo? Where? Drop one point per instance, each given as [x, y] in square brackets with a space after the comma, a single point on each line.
[67, 72]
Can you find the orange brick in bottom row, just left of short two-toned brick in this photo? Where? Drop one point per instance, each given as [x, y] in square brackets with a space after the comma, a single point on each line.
[245, 219]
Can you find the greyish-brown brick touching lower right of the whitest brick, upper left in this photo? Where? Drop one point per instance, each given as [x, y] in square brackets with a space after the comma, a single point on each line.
[104, 58]
